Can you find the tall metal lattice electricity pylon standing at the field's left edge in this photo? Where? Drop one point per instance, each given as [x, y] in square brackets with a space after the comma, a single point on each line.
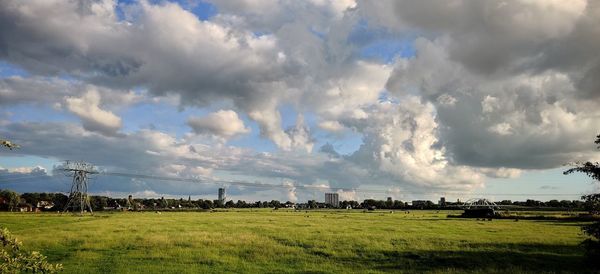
[78, 198]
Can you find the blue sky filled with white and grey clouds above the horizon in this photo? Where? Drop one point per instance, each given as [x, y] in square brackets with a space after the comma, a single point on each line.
[370, 99]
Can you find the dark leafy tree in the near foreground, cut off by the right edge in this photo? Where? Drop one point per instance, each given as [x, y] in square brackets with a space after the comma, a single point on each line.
[592, 205]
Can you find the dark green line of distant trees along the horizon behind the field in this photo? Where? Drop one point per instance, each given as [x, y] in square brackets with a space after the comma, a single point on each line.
[11, 201]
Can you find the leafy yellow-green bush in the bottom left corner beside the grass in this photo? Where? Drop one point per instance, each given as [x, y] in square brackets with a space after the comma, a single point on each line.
[14, 260]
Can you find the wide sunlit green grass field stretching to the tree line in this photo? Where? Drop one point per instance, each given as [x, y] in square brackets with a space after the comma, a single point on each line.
[283, 241]
